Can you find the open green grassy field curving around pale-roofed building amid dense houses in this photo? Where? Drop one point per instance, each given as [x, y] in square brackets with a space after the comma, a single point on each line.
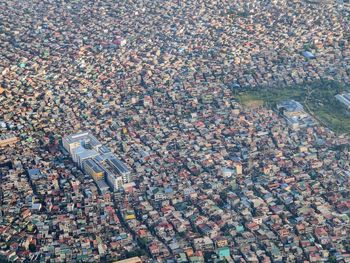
[317, 97]
